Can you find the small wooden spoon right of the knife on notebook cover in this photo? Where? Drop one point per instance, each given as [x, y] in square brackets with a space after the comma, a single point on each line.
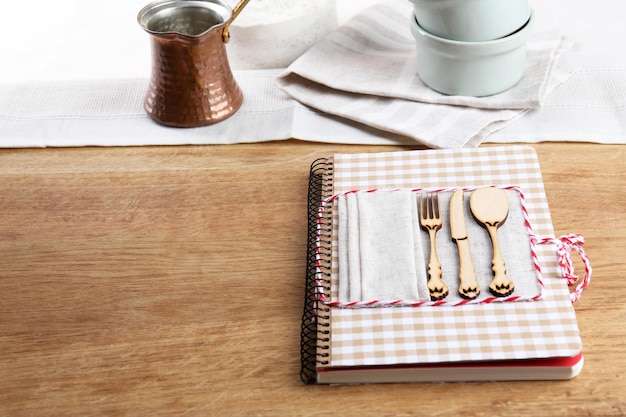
[490, 207]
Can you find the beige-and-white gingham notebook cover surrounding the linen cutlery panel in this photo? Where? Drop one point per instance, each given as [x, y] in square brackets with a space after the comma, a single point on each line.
[501, 331]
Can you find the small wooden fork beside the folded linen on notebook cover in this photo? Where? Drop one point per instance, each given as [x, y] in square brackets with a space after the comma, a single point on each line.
[431, 221]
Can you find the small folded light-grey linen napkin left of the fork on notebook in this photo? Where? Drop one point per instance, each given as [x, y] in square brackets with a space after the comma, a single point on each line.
[380, 251]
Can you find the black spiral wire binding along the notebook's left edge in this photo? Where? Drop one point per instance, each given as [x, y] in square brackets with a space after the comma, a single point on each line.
[315, 331]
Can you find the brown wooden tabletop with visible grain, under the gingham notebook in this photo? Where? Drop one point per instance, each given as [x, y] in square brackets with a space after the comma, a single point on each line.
[169, 281]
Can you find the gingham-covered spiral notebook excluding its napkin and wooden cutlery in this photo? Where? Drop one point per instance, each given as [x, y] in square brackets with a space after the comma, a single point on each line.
[530, 336]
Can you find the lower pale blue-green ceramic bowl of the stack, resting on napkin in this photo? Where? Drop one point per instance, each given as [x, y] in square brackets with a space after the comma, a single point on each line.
[471, 68]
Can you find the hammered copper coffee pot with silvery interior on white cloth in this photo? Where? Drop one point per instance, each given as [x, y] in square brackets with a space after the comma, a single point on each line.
[191, 83]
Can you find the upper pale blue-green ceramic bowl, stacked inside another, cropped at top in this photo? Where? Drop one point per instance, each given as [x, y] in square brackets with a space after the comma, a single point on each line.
[471, 20]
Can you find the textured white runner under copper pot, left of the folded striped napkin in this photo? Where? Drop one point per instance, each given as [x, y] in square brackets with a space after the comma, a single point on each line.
[110, 113]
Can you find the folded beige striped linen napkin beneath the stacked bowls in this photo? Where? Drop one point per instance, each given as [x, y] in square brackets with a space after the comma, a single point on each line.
[366, 72]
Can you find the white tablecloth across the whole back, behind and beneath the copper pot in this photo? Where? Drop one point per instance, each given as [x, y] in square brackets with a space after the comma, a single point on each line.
[59, 58]
